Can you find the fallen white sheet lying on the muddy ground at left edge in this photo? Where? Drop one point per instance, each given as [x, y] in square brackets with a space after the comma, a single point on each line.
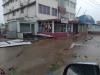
[11, 43]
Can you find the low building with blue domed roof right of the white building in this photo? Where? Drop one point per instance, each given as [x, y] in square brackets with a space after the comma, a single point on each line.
[82, 25]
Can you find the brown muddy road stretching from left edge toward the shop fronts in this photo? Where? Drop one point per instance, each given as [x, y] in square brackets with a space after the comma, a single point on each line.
[32, 58]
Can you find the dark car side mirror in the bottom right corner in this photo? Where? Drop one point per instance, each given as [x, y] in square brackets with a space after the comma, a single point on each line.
[82, 68]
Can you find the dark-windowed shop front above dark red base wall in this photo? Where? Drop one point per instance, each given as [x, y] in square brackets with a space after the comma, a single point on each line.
[52, 27]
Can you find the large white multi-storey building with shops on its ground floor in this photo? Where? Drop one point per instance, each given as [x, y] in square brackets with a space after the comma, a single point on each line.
[38, 15]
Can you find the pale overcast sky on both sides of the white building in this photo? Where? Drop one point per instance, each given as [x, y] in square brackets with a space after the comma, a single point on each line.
[89, 7]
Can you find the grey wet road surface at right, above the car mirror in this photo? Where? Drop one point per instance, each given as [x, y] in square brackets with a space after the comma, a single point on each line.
[88, 51]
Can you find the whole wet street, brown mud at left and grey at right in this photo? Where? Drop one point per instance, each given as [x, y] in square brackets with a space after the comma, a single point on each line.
[26, 58]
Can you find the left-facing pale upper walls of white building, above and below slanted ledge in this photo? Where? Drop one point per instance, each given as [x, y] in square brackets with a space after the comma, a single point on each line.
[28, 11]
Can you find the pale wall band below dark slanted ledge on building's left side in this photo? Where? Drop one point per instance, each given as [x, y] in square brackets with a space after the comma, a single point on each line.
[29, 12]
